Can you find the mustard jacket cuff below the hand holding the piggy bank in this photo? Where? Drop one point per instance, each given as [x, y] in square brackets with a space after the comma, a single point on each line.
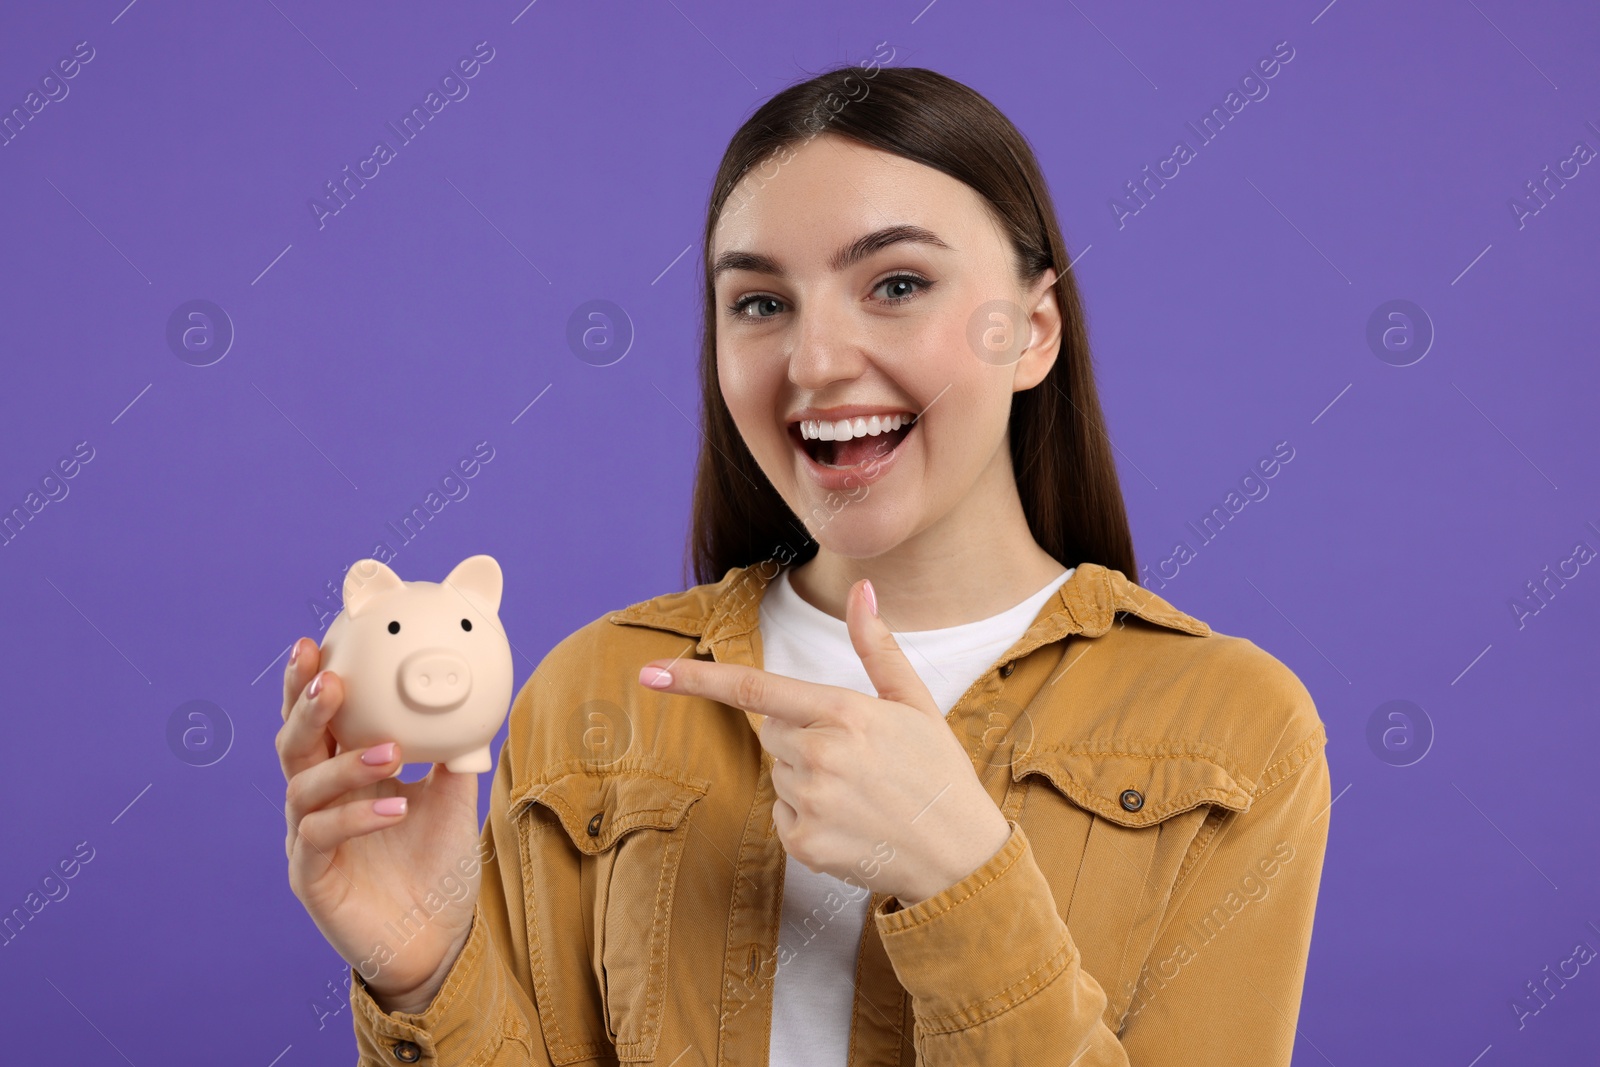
[452, 1029]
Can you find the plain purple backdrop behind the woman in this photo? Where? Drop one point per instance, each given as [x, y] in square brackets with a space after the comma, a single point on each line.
[372, 354]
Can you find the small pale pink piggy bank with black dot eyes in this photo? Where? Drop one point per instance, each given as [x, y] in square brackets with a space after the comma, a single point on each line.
[425, 665]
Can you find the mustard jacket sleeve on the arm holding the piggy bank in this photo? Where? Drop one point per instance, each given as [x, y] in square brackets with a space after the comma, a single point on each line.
[484, 1015]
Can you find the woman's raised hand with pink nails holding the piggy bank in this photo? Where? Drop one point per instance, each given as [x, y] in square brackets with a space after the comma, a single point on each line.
[367, 850]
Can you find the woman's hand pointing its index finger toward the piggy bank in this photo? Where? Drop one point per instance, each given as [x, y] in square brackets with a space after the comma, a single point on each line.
[873, 791]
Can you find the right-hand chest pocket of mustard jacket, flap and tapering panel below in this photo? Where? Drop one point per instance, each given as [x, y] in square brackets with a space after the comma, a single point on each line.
[1135, 820]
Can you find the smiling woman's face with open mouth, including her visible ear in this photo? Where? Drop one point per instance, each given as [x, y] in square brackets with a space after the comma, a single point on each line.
[854, 284]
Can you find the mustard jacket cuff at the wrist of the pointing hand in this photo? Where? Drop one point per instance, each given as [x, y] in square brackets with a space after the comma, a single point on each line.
[982, 946]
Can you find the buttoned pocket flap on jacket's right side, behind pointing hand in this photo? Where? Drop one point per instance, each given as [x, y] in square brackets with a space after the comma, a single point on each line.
[1138, 786]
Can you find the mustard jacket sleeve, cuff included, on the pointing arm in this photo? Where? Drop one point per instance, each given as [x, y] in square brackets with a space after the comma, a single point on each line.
[996, 978]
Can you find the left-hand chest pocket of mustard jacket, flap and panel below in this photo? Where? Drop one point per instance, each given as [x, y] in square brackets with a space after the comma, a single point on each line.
[601, 865]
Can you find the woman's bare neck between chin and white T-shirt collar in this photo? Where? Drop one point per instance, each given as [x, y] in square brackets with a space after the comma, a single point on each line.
[978, 561]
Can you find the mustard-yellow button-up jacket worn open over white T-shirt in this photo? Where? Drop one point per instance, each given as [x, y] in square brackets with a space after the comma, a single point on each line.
[1169, 802]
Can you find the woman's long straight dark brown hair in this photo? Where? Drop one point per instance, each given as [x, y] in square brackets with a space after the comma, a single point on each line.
[1060, 449]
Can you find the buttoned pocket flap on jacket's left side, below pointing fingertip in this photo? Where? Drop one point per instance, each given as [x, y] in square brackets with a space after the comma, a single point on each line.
[598, 807]
